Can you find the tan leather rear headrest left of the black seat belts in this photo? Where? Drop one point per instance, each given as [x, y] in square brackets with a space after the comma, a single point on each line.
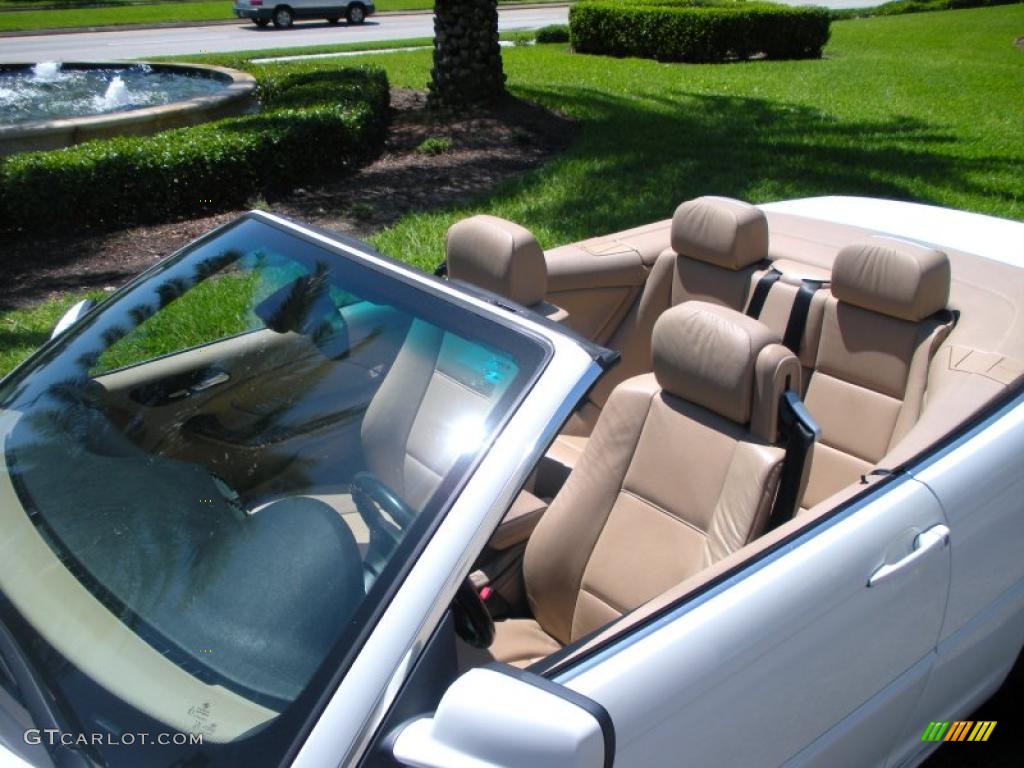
[727, 233]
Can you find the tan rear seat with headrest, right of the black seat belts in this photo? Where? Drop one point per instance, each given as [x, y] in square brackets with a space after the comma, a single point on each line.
[882, 325]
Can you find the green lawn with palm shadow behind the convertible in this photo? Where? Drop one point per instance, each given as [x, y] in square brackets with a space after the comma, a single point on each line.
[922, 107]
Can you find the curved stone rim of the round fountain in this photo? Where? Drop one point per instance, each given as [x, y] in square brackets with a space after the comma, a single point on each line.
[237, 98]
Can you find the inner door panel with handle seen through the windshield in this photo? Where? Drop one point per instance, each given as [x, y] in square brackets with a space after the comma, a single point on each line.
[233, 407]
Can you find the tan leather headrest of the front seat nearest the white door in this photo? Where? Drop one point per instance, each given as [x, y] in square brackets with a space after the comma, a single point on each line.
[726, 362]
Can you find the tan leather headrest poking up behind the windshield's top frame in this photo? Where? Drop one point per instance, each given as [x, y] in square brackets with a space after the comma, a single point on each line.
[499, 257]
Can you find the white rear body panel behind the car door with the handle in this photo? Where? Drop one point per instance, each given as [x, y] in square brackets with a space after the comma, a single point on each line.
[980, 486]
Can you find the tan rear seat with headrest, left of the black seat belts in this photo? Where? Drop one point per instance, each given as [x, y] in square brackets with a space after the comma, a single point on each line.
[717, 247]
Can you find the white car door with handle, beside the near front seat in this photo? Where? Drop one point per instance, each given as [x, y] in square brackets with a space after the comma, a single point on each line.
[797, 660]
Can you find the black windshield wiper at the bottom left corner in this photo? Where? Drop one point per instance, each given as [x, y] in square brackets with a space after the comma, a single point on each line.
[39, 702]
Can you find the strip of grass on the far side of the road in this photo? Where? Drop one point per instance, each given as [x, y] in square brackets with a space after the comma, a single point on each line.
[161, 13]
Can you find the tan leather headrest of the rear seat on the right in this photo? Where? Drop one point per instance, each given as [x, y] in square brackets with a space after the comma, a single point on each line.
[893, 278]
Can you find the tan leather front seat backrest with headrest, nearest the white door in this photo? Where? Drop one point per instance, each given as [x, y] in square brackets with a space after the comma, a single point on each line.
[681, 470]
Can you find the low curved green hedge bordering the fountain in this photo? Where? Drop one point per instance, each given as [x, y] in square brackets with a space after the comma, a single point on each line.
[314, 126]
